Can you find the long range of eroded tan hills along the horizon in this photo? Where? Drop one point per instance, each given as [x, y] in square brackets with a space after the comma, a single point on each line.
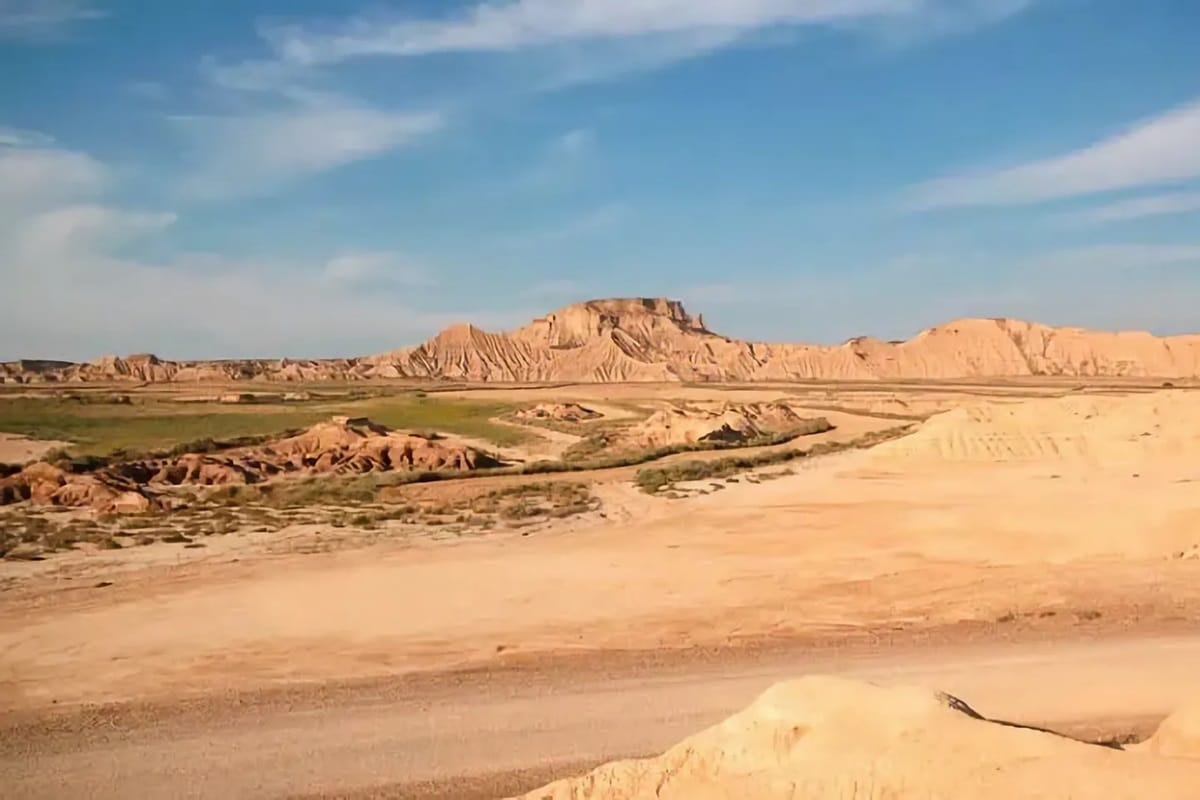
[657, 340]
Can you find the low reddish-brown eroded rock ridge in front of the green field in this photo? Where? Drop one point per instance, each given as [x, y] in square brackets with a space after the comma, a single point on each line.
[341, 447]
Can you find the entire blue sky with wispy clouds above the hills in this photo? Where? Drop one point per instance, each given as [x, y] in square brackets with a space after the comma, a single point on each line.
[311, 178]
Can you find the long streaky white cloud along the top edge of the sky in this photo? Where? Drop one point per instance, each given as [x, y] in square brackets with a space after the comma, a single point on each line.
[518, 25]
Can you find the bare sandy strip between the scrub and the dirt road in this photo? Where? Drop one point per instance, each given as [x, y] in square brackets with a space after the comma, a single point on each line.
[826, 551]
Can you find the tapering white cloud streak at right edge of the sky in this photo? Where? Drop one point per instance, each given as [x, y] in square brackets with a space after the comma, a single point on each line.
[1160, 151]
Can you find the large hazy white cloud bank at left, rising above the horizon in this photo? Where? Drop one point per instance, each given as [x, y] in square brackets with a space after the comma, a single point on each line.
[74, 286]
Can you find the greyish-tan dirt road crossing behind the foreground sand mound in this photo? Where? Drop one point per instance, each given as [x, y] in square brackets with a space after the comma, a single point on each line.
[506, 731]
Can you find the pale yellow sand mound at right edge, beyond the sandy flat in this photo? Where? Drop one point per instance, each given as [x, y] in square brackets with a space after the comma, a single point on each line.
[1103, 431]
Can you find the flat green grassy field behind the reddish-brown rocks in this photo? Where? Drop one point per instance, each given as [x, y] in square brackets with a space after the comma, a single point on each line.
[101, 426]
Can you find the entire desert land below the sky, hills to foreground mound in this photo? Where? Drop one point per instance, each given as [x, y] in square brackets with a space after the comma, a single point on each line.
[550, 563]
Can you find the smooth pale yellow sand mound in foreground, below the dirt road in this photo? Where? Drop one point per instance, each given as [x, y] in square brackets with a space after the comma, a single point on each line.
[831, 738]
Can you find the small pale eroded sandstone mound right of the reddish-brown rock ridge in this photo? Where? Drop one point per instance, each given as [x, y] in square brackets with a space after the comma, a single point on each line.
[717, 424]
